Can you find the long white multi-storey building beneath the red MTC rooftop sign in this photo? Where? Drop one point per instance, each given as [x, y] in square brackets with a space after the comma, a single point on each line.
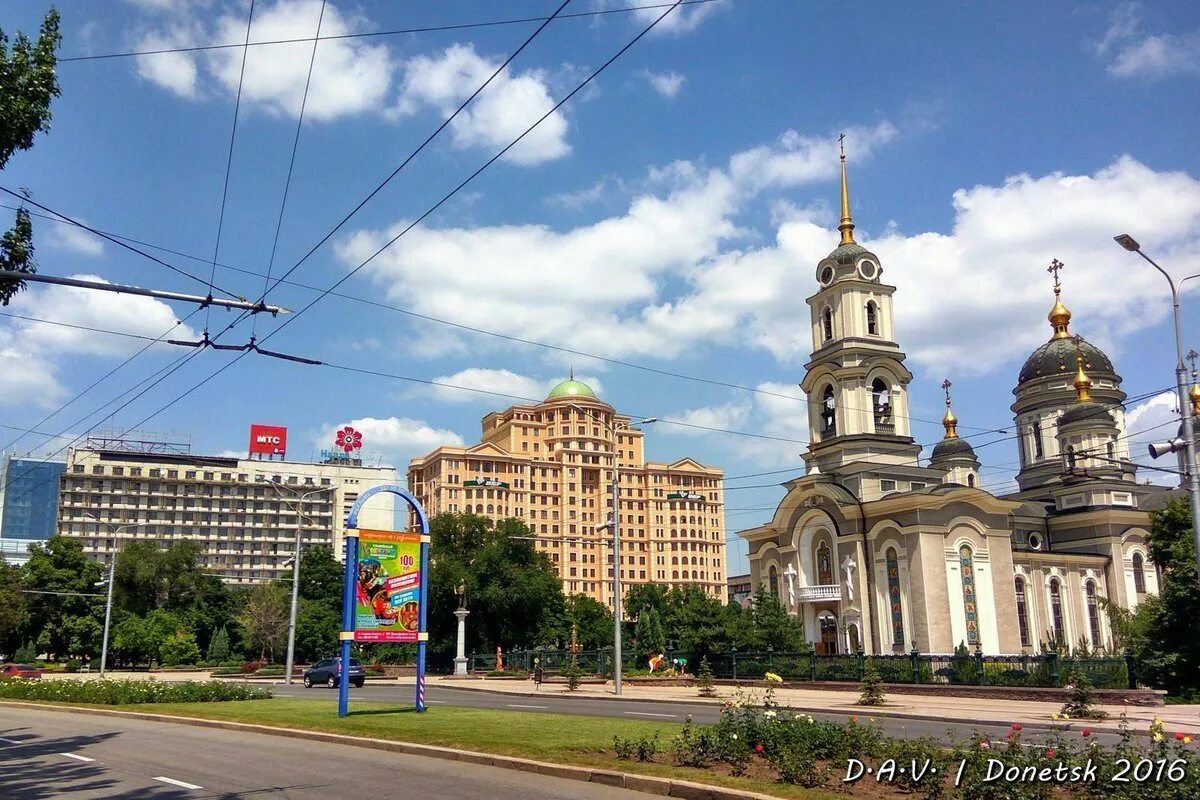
[244, 513]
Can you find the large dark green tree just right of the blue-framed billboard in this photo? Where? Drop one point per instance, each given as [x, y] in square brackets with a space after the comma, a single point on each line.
[514, 592]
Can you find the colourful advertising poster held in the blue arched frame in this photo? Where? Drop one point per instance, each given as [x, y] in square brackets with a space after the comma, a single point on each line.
[388, 590]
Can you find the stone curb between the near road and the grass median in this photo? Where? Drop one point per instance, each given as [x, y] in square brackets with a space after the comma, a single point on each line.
[646, 784]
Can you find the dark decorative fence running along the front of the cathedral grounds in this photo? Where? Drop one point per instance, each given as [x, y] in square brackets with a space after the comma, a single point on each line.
[975, 670]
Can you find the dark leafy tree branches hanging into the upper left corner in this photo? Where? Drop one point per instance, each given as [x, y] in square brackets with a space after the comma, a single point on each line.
[28, 85]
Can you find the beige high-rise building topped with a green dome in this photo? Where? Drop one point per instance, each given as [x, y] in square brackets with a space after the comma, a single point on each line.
[551, 466]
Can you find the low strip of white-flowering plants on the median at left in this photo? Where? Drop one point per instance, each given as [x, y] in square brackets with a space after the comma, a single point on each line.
[119, 693]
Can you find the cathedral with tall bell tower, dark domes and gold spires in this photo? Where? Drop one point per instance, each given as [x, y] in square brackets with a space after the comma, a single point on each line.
[877, 549]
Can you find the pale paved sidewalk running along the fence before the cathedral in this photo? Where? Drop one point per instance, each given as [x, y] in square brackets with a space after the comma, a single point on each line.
[929, 707]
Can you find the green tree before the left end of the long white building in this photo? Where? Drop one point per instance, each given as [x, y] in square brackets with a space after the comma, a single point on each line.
[64, 579]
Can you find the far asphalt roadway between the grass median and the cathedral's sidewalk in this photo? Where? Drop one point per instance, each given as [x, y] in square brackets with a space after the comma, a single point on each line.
[554, 702]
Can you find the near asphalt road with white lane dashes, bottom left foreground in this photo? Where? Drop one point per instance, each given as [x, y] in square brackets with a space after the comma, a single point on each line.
[80, 757]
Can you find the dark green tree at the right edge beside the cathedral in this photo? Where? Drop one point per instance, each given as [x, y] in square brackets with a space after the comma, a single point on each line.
[1165, 633]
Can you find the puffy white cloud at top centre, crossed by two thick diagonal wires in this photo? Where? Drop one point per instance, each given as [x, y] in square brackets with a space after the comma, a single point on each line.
[501, 113]
